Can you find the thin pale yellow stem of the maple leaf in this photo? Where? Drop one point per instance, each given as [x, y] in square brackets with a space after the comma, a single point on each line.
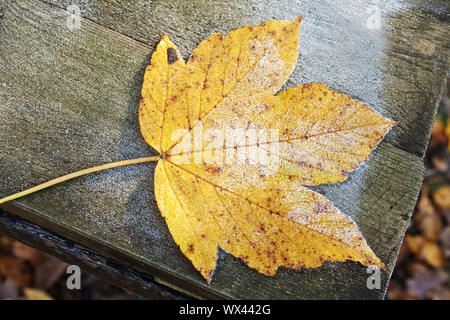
[78, 174]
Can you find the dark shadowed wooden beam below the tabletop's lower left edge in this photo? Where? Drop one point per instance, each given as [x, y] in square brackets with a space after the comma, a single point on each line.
[89, 261]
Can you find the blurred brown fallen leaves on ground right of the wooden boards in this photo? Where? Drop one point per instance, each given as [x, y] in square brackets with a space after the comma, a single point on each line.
[422, 270]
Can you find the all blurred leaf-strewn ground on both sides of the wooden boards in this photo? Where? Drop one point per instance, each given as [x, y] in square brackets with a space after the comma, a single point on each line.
[422, 270]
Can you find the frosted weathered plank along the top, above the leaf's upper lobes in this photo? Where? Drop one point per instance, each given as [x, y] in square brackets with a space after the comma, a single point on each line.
[403, 63]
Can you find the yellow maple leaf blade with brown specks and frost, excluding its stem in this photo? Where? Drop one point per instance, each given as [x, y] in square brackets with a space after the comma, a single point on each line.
[217, 186]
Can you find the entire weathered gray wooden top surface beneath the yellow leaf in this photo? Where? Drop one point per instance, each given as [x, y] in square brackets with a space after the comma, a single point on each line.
[69, 99]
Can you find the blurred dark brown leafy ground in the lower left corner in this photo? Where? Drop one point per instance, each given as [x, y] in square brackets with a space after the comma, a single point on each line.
[26, 273]
